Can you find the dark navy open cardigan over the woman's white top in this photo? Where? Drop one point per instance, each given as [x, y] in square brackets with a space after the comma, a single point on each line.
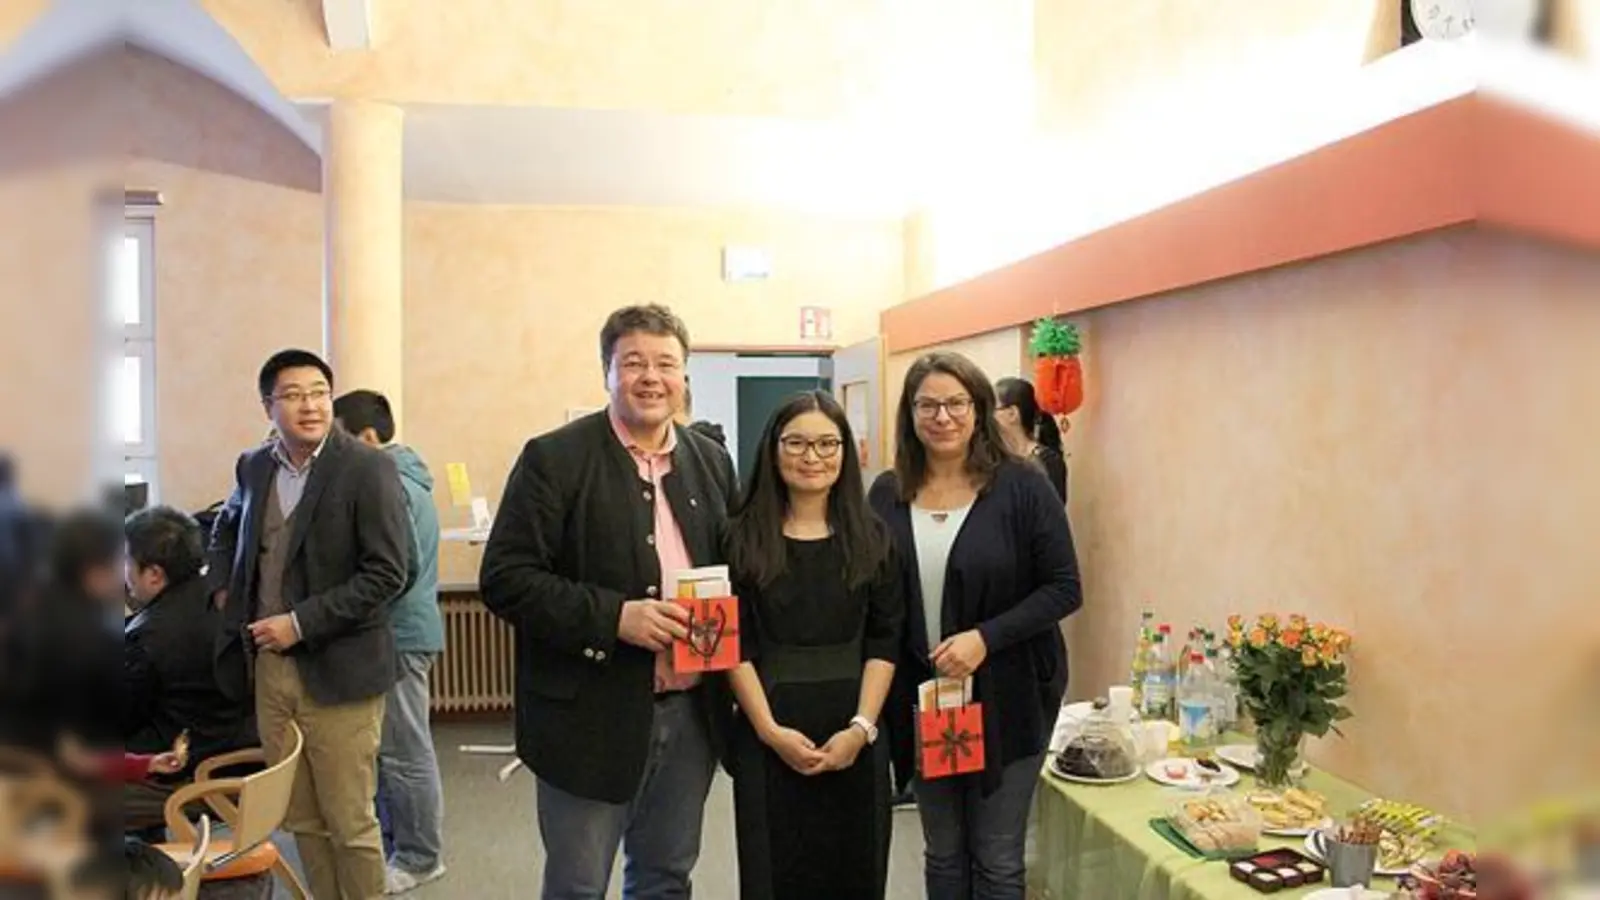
[1014, 576]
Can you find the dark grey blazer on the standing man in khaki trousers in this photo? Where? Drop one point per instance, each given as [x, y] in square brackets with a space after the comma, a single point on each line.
[348, 561]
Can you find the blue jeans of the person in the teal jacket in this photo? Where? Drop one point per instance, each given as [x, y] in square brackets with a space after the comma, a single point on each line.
[410, 798]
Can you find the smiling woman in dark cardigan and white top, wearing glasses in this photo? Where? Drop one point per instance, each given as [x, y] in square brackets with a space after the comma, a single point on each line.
[990, 573]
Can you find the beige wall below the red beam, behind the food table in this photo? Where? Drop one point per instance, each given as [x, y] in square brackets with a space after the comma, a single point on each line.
[1399, 441]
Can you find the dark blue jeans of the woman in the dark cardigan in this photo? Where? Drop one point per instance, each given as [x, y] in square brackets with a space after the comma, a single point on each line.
[975, 845]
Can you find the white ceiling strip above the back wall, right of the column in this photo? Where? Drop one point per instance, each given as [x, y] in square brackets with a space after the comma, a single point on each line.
[540, 156]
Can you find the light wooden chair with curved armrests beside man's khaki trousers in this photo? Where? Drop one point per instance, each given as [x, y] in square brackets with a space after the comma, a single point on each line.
[254, 808]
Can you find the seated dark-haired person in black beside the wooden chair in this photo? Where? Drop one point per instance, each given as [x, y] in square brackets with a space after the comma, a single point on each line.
[169, 673]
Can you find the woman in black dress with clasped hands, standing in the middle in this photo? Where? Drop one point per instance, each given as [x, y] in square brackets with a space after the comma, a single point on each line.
[820, 630]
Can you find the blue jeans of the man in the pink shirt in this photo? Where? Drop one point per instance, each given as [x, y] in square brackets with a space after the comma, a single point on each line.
[660, 830]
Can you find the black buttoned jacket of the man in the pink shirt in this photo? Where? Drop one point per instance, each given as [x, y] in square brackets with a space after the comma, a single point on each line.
[572, 542]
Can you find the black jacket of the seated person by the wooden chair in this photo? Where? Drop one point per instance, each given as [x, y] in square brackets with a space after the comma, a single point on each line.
[170, 678]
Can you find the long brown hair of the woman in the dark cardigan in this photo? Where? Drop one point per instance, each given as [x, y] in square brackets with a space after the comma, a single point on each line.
[986, 451]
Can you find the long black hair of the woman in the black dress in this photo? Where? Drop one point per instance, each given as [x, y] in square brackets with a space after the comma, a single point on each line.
[756, 532]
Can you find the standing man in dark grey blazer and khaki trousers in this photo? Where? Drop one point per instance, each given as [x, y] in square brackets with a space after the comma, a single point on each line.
[306, 560]
